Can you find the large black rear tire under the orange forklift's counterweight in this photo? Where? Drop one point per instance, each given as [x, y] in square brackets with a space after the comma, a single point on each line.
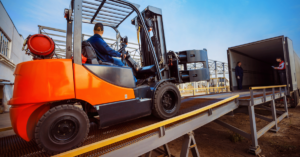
[62, 128]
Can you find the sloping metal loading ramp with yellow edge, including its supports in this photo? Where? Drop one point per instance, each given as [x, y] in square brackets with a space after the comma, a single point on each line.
[140, 136]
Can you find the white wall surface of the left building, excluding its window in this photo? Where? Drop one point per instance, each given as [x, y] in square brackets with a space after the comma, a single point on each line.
[16, 55]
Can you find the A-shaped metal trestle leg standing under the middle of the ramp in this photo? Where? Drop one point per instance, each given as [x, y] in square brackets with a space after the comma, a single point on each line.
[189, 143]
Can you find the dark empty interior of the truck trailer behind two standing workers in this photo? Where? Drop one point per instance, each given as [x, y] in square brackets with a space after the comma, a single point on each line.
[257, 60]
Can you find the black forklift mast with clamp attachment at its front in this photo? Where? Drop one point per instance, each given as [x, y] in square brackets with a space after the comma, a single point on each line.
[173, 66]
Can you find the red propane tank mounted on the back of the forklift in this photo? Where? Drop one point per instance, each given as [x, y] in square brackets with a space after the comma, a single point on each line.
[40, 46]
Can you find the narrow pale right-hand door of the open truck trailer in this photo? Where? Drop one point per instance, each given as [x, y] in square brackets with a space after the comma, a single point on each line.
[291, 64]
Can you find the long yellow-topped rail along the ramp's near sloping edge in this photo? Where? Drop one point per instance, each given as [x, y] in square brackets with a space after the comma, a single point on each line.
[160, 125]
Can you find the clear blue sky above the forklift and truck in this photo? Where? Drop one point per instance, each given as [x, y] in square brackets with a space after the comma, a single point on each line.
[189, 24]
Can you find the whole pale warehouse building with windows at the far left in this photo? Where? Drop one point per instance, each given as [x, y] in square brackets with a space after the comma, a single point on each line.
[11, 54]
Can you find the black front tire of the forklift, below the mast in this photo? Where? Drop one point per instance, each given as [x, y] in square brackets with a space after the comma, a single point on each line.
[167, 100]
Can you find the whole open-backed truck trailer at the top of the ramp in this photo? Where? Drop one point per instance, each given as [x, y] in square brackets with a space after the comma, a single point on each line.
[257, 60]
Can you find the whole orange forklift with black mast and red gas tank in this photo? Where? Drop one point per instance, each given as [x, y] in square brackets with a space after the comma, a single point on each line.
[48, 91]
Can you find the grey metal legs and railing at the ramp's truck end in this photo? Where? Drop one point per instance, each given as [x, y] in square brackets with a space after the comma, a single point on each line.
[247, 106]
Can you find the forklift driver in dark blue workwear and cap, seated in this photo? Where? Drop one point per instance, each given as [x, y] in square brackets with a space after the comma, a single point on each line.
[104, 52]
